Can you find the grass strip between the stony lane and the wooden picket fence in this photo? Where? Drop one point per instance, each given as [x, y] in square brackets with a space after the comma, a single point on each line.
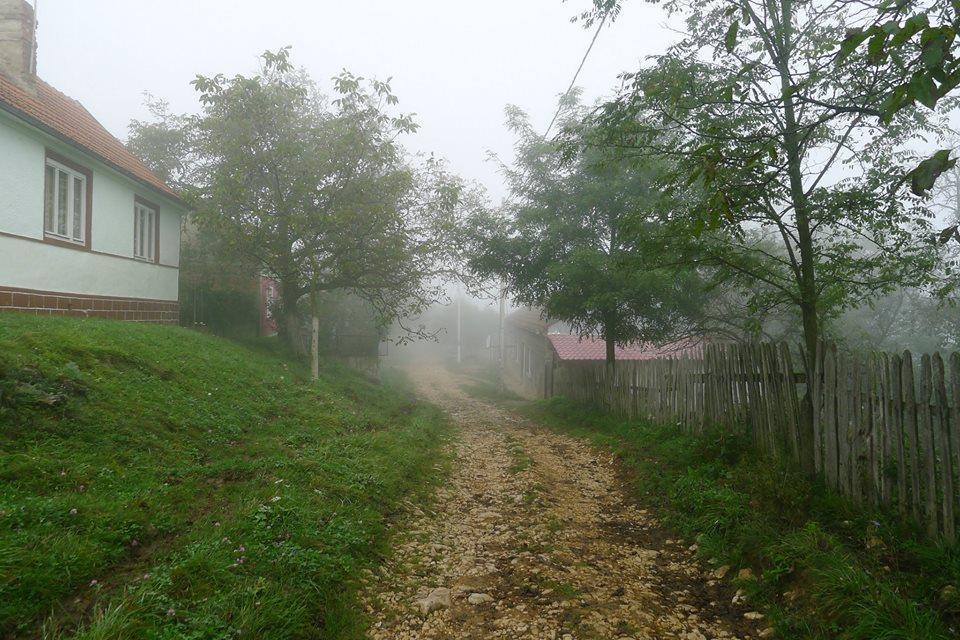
[825, 569]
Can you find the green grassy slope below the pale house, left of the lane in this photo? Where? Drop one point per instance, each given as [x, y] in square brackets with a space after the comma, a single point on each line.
[156, 482]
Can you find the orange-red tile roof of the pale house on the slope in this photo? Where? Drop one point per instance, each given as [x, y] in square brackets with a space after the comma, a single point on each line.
[68, 119]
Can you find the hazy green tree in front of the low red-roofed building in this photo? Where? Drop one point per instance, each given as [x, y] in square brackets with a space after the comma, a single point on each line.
[579, 240]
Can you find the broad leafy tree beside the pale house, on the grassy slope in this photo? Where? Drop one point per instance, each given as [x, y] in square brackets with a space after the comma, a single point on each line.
[321, 195]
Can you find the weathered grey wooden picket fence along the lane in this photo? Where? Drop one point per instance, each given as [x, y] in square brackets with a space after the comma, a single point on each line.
[885, 429]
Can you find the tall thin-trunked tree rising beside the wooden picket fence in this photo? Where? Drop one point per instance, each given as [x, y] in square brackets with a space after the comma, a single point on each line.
[791, 179]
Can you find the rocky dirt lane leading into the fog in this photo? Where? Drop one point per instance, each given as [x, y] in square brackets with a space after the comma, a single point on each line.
[533, 537]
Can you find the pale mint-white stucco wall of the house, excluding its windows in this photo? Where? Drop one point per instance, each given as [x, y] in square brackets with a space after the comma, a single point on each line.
[34, 265]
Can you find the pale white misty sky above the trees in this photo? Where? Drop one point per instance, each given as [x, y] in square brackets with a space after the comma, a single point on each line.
[456, 63]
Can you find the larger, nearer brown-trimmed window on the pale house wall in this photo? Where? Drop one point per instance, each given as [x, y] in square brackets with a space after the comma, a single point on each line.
[65, 204]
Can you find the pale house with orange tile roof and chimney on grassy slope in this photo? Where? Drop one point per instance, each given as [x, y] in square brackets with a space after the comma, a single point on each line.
[85, 227]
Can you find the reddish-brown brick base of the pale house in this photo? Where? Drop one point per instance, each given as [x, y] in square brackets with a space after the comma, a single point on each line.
[66, 304]
